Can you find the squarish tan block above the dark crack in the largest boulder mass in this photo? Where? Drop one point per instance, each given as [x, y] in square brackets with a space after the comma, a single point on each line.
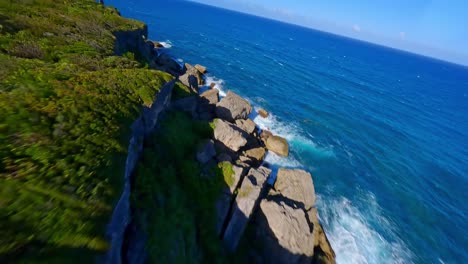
[296, 185]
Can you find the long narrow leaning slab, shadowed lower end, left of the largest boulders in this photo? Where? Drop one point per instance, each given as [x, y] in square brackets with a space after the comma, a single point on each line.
[247, 199]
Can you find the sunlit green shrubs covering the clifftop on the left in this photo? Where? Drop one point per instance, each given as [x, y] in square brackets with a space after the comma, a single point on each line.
[66, 104]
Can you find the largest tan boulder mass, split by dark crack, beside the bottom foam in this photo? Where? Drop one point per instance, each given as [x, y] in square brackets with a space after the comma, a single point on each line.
[287, 222]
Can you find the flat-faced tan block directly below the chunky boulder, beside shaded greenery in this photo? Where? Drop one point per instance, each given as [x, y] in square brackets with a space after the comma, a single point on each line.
[231, 136]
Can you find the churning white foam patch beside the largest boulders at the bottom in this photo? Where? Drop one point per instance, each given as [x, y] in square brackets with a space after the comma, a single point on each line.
[352, 237]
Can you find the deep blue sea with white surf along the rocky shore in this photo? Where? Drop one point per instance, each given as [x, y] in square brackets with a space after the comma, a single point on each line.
[384, 132]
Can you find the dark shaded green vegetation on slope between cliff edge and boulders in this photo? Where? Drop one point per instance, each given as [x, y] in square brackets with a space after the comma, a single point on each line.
[175, 203]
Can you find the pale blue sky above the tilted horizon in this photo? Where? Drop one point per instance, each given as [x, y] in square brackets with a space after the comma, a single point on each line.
[435, 28]
